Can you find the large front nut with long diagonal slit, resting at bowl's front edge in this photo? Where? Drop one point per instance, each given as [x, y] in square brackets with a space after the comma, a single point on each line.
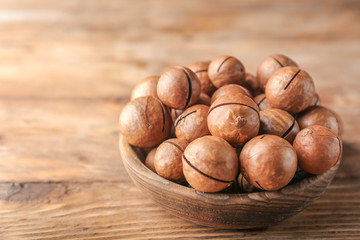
[210, 164]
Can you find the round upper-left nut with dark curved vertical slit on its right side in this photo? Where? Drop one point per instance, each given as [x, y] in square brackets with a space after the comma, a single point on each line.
[178, 87]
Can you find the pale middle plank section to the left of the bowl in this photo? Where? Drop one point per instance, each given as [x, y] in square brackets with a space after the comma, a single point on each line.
[67, 140]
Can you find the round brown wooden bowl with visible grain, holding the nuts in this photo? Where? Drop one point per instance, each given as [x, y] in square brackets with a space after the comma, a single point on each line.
[240, 211]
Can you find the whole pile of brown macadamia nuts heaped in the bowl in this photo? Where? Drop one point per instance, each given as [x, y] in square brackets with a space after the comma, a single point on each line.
[214, 127]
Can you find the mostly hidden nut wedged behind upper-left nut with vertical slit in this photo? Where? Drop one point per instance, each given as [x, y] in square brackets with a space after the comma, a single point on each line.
[201, 70]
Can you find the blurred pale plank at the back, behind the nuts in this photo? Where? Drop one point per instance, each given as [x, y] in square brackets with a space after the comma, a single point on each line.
[92, 49]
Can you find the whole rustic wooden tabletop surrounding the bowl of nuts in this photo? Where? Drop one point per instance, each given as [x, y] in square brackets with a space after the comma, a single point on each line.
[66, 70]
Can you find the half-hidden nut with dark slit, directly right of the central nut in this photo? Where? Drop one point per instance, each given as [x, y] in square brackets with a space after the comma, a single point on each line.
[278, 122]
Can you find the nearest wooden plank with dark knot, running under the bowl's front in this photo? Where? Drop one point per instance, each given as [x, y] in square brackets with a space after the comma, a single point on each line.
[119, 210]
